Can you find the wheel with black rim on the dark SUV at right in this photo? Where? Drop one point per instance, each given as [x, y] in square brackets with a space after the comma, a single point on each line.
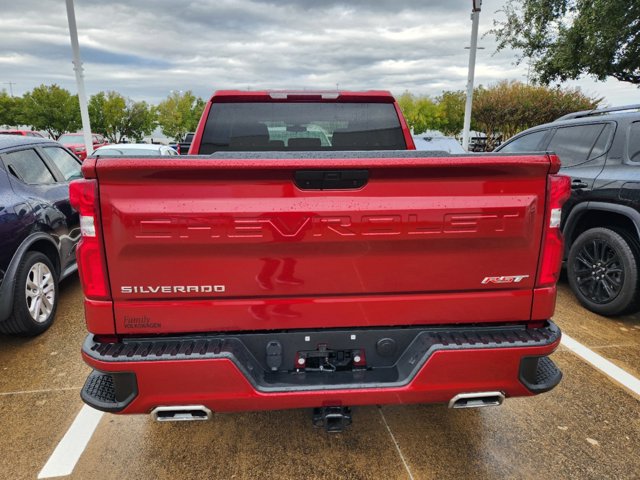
[602, 268]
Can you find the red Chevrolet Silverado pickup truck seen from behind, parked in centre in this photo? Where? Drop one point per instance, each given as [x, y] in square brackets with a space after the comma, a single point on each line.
[309, 258]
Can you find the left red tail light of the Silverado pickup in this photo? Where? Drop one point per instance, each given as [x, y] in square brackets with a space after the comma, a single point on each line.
[83, 195]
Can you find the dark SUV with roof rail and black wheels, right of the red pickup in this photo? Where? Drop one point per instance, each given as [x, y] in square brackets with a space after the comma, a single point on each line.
[600, 151]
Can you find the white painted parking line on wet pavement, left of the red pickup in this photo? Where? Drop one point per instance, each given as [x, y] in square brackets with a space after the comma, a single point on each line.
[66, 455]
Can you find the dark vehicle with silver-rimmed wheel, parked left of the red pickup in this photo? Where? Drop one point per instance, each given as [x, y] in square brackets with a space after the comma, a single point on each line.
[39, 230]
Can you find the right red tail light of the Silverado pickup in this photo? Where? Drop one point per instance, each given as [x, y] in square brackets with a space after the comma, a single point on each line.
[558, 191]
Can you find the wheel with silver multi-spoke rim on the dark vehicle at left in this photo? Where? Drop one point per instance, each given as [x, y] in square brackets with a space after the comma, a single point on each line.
[36, 287]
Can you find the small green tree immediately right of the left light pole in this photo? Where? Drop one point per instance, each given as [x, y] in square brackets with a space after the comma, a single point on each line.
[117, 117]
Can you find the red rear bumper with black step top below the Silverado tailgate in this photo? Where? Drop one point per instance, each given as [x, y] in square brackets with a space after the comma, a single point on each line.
[228, 372]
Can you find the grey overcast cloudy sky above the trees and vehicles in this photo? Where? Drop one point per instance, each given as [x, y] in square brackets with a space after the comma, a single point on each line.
[146, 48]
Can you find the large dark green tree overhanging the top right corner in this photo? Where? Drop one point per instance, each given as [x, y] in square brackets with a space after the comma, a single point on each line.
[564, 39]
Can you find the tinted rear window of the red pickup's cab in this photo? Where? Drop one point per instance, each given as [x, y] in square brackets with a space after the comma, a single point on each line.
[264, 126]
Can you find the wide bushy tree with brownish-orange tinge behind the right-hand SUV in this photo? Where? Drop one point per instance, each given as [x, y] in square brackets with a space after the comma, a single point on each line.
[507, 108]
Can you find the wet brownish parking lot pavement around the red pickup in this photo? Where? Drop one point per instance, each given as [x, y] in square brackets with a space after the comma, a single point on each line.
[588, 427]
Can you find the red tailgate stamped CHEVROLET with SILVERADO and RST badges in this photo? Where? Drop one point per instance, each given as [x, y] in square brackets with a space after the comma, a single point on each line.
[220, 244]
